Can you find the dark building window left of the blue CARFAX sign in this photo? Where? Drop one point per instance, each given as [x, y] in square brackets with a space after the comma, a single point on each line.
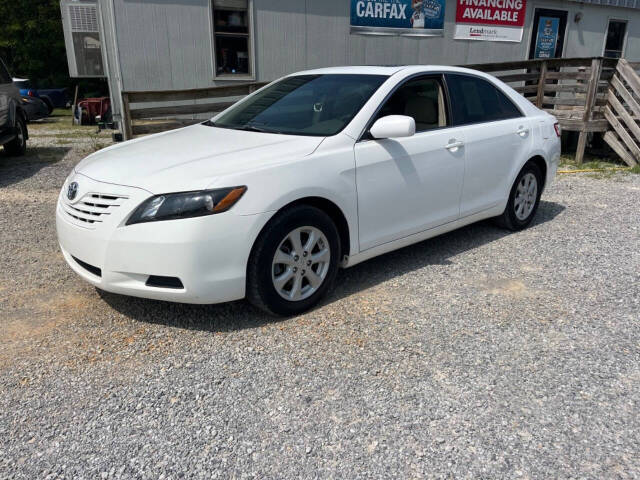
[232, 37]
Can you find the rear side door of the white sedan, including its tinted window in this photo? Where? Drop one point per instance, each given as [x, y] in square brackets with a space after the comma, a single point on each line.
[497, 135]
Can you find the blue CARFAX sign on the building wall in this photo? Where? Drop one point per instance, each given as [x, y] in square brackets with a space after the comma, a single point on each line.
[398, 17]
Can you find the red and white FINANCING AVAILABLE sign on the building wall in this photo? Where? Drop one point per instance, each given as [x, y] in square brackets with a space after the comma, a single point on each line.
[493, 20]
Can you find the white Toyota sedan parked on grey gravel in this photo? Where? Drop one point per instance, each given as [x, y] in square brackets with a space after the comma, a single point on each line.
[318, 170]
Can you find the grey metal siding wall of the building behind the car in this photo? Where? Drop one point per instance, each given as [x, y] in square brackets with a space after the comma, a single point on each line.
[167, 44]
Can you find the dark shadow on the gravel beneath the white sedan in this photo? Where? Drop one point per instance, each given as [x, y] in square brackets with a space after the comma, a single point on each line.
[240, 315]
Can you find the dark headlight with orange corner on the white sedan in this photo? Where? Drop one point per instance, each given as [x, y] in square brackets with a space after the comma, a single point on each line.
[173, 206]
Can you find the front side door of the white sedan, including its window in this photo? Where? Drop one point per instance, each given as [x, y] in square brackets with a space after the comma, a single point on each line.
[409, 185]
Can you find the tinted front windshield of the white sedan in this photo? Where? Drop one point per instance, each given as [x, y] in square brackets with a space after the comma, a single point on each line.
[316, 105]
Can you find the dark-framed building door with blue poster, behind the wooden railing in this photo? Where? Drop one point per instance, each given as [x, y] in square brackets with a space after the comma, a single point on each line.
[547, 39]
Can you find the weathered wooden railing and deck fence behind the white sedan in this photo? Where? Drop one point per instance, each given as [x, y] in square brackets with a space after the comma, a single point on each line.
[577, 91]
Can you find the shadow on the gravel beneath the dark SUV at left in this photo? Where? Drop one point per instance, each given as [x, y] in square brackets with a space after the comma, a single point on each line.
[16, 169]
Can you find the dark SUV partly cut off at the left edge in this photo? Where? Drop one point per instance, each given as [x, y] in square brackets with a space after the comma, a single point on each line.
[13, 121]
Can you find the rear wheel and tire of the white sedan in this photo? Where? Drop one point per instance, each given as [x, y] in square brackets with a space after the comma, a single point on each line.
[523, 202]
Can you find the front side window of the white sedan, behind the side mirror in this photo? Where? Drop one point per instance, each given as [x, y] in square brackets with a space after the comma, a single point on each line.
[420, 98]
